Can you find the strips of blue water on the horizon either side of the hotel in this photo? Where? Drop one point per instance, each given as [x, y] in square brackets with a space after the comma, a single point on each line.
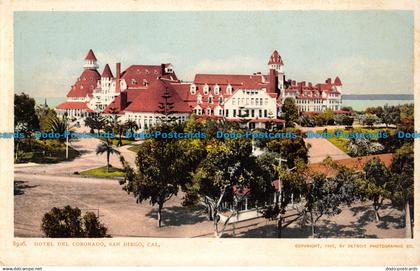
[357, 102]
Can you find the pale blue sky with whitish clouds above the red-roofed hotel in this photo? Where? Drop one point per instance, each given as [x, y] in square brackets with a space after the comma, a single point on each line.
[371, 51]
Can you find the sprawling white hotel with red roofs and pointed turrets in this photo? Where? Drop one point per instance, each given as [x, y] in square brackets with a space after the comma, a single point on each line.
[138, 93]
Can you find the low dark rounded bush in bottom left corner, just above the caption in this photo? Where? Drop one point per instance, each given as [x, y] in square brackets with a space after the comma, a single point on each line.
[67, 223]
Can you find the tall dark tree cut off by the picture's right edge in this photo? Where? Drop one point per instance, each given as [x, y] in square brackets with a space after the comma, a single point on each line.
[401, 185]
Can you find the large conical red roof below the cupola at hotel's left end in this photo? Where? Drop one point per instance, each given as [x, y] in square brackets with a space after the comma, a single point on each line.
[85, 84]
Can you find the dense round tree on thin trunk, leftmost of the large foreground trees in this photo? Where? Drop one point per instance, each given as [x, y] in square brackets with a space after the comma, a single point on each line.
[162, 168]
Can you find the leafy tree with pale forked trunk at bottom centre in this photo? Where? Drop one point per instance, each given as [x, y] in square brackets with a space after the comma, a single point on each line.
[228, 174]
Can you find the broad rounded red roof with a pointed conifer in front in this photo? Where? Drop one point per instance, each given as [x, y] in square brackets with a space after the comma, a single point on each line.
[149, 100]
